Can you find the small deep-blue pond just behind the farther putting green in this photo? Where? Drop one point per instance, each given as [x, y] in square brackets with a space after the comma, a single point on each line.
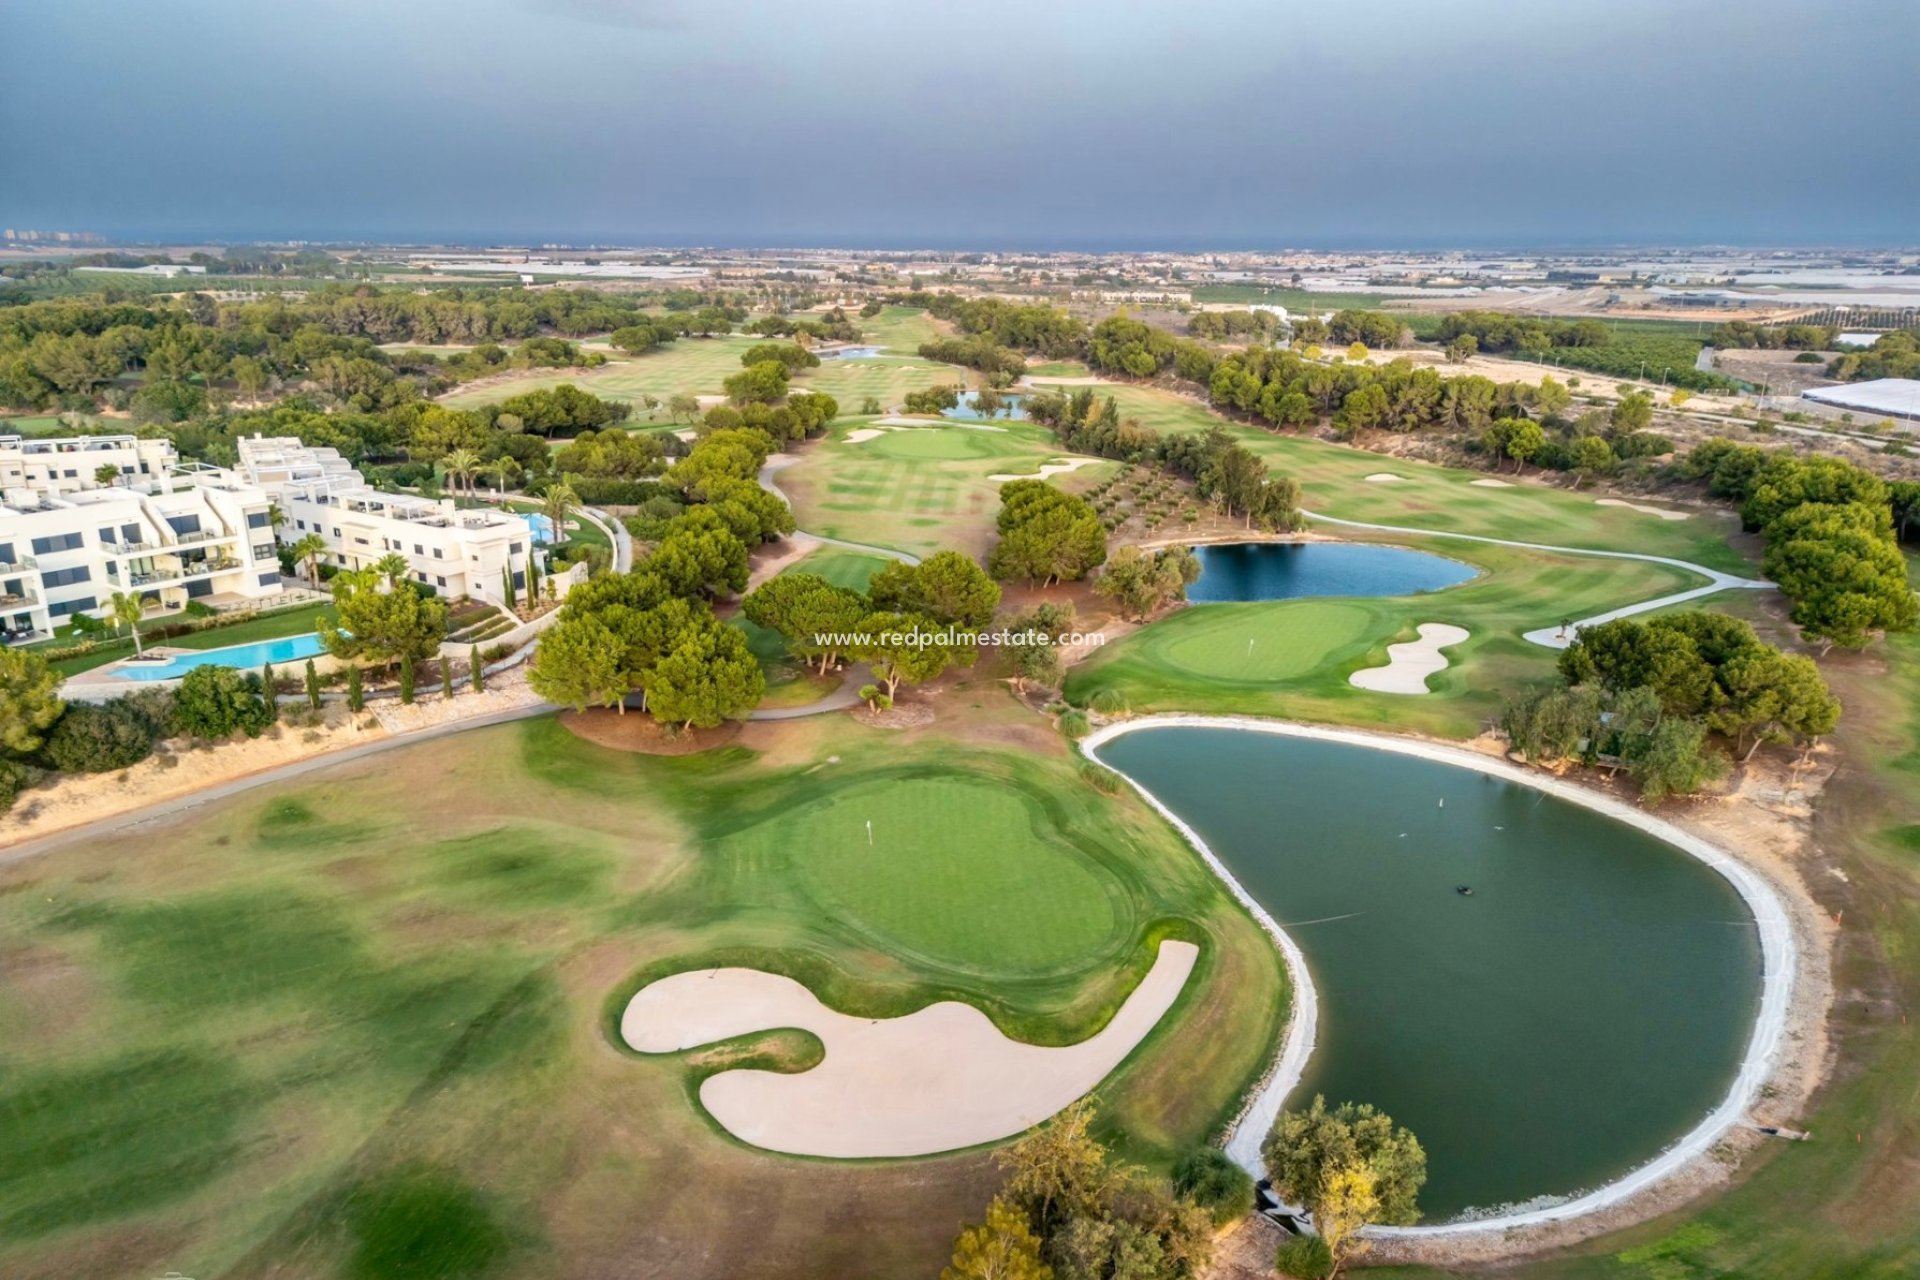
[1291, 571]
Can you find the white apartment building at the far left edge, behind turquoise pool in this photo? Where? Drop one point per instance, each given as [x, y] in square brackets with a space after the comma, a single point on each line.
[70, 544]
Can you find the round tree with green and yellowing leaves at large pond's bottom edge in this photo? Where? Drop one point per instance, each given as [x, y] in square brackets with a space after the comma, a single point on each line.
[1307, 1149]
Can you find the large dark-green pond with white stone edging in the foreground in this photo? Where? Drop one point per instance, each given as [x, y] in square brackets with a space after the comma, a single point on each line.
[1579, 1012]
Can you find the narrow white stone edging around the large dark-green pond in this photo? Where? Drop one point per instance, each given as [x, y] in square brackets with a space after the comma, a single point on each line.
[1779, 962]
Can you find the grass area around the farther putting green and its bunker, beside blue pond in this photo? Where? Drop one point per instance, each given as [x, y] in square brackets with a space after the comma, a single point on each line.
[1305, 652]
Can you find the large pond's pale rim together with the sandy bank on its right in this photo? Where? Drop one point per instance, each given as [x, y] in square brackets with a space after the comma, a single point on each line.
[1758, 838]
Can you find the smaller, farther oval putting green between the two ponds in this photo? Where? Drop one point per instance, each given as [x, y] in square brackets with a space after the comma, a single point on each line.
[1260, 642]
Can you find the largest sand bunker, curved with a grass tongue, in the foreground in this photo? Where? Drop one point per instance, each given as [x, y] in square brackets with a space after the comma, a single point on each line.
[932, 1081]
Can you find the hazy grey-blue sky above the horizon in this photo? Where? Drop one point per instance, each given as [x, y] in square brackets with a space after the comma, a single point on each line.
[967, 124]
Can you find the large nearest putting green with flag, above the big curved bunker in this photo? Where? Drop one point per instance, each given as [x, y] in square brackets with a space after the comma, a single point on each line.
[959, 870]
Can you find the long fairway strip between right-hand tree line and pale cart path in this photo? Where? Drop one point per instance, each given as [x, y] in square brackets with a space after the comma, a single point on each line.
[1333, 481]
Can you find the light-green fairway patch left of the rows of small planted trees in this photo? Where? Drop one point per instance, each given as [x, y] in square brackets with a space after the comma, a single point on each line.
[917, 488]
